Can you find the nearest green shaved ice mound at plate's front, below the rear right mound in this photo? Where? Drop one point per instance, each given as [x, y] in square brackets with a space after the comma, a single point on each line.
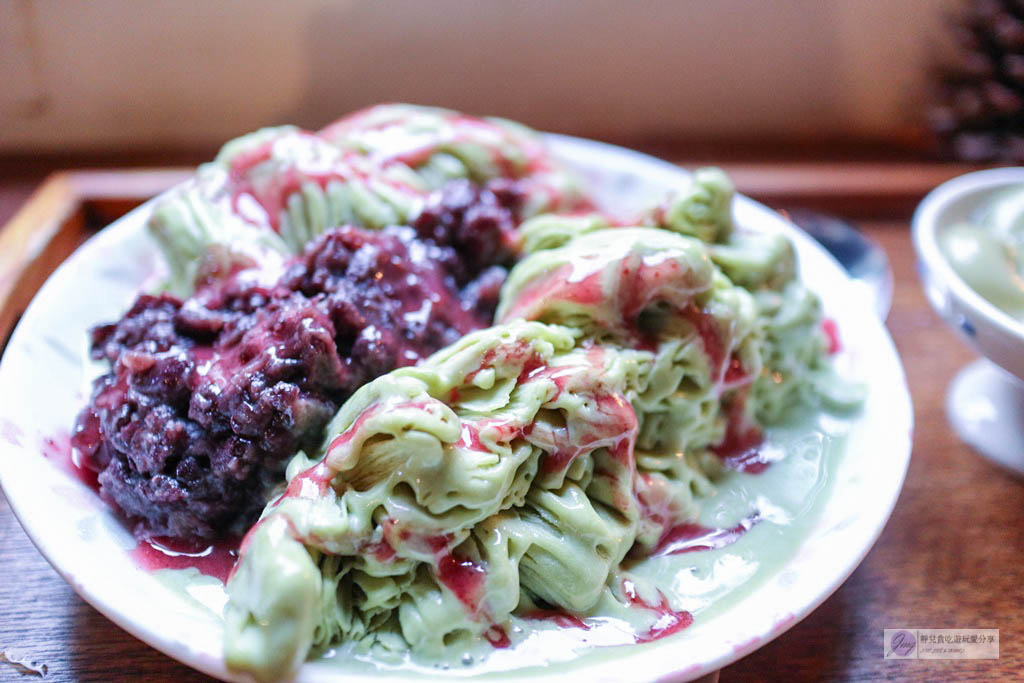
[501, 468]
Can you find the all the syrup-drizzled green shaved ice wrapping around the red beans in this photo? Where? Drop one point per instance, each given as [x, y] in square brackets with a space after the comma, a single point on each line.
[524, 467]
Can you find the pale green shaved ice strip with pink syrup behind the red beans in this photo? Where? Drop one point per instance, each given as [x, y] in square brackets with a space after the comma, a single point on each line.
[274, 191]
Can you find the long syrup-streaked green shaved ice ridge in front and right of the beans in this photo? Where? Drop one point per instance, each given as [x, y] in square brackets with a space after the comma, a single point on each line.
[521, 465]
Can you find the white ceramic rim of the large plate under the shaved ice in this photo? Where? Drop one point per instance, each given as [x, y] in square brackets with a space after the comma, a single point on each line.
[42, 388]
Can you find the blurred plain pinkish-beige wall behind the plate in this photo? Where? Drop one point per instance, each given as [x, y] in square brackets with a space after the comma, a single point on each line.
[190, 74]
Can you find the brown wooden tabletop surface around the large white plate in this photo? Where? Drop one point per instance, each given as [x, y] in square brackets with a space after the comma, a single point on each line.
[951, 557]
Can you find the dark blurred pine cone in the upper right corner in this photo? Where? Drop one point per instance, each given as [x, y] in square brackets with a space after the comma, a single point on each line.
[979, 111]
